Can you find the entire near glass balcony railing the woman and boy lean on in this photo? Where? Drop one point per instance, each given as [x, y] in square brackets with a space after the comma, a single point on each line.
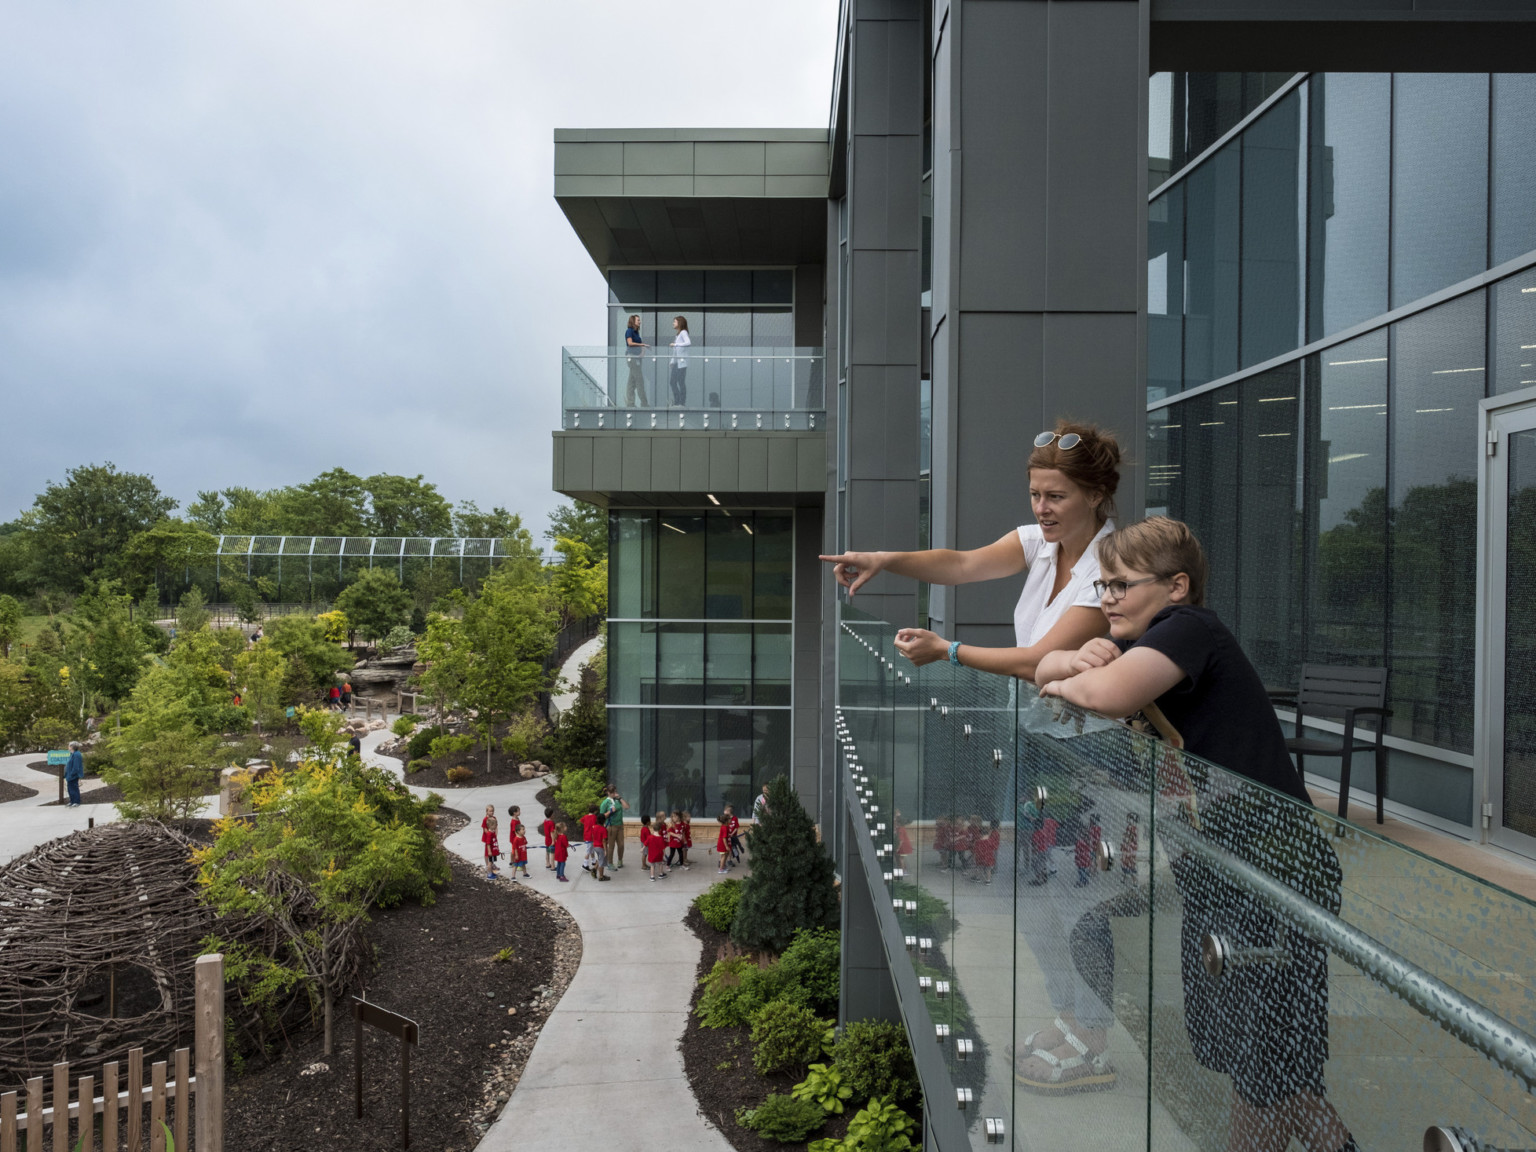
[1234, 968]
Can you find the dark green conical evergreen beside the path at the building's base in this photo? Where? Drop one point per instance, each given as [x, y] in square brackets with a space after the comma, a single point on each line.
[792, 881]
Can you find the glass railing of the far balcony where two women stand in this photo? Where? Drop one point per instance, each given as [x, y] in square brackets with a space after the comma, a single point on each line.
[706, 389]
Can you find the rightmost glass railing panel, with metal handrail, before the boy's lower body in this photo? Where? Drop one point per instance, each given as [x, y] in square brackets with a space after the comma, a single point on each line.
[1316, 979]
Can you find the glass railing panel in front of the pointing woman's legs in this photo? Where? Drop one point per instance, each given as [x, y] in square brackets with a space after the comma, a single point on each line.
[1082, 927]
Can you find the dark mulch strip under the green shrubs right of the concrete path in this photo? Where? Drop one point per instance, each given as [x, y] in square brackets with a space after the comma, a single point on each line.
[720, 1064]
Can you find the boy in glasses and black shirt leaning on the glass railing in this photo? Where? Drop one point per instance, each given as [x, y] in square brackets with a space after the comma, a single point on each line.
[1167, 657]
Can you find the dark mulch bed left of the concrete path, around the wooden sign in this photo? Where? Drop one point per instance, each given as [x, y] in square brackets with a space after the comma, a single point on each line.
[435, 967]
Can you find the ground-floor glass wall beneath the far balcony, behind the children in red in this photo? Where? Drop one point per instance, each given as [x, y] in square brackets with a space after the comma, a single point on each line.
[700, 655]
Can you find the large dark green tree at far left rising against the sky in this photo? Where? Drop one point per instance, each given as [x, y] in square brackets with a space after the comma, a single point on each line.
[84, 525]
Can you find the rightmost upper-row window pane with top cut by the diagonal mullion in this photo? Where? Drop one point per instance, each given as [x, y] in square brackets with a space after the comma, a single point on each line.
[1273, 240]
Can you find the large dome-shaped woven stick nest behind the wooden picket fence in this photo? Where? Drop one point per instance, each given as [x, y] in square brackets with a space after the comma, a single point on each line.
[99, 939]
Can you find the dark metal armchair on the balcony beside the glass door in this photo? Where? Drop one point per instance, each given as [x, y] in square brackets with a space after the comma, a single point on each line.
[1342, 694]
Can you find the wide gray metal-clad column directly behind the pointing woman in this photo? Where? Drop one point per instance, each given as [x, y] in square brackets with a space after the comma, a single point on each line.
[1039, 260]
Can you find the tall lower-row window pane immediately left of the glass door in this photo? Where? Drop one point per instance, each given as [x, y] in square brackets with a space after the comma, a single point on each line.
[1437, 383]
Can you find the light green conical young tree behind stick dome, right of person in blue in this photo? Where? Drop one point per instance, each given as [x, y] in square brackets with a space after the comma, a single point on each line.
[164, 761]
